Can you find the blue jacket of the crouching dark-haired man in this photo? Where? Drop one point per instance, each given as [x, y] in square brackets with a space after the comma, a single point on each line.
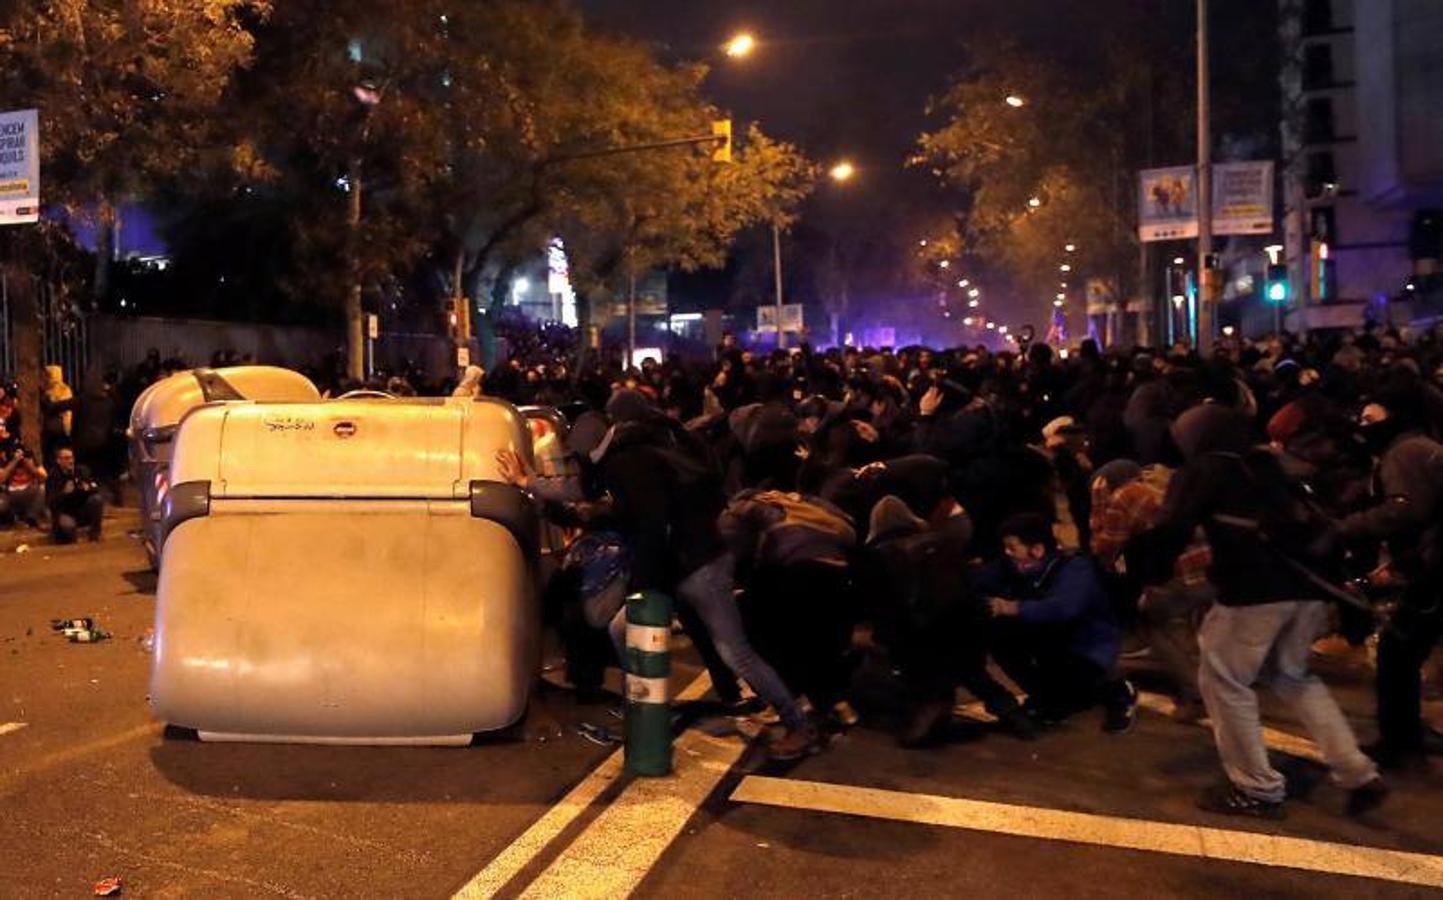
[1064, 595]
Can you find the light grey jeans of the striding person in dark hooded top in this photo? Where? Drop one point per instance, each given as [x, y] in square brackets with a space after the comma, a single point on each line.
[1243, 645]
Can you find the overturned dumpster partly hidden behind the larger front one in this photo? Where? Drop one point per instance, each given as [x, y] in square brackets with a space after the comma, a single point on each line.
[159, 409]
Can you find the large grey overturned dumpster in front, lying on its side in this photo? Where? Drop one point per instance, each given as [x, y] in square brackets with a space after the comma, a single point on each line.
[347, 572]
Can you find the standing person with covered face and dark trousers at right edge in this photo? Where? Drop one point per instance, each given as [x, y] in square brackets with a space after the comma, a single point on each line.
[1408, 516]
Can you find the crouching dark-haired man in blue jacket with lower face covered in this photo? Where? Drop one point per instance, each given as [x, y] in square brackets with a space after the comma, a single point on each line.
[1054, 631]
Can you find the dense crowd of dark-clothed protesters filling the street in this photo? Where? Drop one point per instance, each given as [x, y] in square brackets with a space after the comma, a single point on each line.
[991, 521]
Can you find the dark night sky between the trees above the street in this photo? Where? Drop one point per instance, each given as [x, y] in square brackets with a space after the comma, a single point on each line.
[854, 79]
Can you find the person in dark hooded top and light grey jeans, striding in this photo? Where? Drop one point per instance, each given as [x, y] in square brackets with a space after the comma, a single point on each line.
[1271, 606]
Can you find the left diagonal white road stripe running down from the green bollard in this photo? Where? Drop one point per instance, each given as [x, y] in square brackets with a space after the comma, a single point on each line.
[535, 840]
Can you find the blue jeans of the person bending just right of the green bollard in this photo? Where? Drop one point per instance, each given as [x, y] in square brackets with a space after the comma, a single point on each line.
[709, 594]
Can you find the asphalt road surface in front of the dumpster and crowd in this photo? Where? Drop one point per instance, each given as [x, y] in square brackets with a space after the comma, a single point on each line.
[92, 788]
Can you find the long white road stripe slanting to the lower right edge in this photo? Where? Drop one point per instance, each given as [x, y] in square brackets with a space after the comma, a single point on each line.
[1097, 830]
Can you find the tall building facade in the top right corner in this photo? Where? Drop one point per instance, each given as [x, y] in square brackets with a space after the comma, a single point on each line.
[1363, 158]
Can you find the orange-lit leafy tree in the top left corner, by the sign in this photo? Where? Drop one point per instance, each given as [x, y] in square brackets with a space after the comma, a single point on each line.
[126, 93]
